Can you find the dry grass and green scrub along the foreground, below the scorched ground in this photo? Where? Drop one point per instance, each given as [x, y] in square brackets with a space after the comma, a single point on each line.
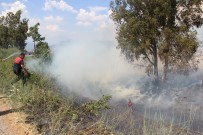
[53, 113]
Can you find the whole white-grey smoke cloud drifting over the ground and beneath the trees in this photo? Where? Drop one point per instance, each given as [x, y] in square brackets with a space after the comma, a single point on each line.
[92, 69]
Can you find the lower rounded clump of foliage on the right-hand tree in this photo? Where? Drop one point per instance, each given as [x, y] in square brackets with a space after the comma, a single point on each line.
[179, 49]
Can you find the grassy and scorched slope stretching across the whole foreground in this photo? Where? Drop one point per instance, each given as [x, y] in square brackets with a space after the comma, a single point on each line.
[51, 111]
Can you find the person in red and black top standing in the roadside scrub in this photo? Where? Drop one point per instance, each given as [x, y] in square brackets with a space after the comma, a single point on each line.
[19, 69]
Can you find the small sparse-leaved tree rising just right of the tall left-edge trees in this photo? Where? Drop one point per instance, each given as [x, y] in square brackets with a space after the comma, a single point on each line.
[33, 32]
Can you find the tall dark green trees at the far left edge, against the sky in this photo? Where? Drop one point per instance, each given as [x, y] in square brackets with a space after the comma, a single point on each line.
[13, 30]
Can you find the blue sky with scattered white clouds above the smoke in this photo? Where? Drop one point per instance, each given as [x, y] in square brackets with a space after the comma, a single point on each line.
[65, 21]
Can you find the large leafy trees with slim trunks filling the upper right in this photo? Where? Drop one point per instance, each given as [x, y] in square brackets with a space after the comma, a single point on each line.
[143, 27]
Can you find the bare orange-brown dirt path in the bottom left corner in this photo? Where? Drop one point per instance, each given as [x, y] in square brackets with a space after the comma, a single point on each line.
[12, 122]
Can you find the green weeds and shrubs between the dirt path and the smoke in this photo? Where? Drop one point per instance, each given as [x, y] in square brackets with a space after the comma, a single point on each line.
[46, 106]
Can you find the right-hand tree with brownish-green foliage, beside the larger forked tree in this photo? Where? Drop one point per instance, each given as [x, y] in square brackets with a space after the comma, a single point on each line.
[180, 42]
